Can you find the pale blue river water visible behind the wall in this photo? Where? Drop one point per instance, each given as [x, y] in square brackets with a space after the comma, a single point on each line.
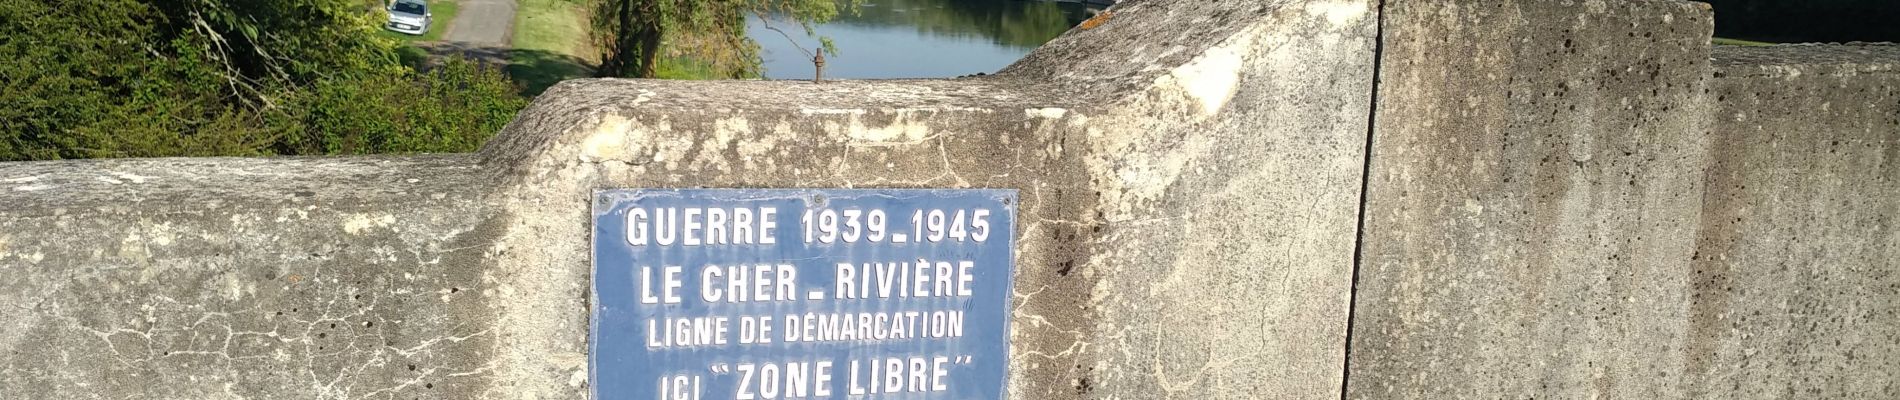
[921, 39]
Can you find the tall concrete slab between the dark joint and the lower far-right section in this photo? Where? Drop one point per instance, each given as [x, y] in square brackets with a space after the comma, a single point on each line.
[1534, 200]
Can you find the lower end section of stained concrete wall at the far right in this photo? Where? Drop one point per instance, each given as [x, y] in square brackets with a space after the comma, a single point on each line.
[1796, 278]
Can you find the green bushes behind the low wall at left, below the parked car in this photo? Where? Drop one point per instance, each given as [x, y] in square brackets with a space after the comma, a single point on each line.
[147, 79]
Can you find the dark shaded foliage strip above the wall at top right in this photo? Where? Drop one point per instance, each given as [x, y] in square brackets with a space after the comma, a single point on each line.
[1808, 20]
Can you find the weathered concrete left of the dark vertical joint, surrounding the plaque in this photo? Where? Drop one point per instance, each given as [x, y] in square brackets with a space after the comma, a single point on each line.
[1188, 175]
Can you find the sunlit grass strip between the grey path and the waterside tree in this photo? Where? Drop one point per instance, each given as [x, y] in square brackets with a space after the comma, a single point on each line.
[550, 45]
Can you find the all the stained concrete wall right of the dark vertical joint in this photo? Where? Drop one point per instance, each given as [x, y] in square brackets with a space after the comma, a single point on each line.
[1586, 202]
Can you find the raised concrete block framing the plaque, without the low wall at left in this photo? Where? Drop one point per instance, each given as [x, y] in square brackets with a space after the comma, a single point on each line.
[1217, 145]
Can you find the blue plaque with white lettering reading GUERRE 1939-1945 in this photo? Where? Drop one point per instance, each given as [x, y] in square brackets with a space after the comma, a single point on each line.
[753, 295]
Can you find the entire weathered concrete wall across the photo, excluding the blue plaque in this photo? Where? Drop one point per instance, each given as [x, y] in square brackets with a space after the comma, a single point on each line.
[1221, 200]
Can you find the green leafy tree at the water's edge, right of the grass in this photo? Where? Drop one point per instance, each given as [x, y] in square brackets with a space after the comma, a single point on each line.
[708, 37]
